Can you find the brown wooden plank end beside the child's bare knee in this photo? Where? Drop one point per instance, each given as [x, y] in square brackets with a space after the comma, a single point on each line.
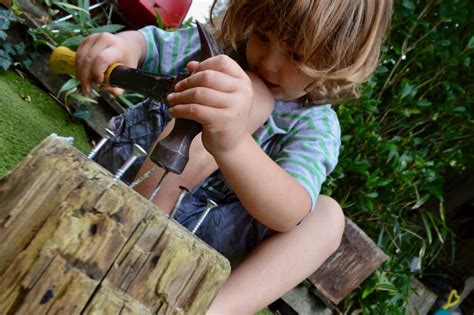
[356, 258]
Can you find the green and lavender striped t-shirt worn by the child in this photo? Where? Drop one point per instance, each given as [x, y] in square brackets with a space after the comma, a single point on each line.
[303, 139]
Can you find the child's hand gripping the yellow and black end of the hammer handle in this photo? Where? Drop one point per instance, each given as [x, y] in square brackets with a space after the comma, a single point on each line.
[98, 51]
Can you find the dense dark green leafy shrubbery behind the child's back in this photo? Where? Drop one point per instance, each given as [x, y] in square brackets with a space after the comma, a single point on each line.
[412, 124]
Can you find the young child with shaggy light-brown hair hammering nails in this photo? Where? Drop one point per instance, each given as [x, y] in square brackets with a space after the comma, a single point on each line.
[269, 135]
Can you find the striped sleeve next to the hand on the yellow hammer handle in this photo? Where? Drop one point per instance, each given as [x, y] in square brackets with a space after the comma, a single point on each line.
[168, 52]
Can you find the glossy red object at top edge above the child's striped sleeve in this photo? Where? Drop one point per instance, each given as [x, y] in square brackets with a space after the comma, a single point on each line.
[143, 12]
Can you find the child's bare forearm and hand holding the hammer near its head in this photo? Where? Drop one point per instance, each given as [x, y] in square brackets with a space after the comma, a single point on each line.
[219, 96]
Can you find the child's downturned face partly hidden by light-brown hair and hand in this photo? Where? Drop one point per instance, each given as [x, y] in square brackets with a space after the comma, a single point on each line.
[273, 64]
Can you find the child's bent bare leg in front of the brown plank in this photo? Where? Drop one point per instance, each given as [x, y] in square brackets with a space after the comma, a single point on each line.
[282, 261]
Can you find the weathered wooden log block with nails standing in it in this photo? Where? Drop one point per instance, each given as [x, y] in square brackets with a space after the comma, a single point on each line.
[74, 241]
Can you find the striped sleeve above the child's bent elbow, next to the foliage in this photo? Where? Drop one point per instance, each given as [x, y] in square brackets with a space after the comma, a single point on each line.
[310, 150]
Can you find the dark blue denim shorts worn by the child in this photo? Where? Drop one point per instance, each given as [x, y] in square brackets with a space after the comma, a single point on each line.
[228, 227]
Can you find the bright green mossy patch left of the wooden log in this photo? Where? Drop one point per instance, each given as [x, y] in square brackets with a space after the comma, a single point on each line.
[27, 116]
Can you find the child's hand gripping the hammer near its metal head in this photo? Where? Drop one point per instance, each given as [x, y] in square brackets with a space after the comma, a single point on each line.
[219, 96]
